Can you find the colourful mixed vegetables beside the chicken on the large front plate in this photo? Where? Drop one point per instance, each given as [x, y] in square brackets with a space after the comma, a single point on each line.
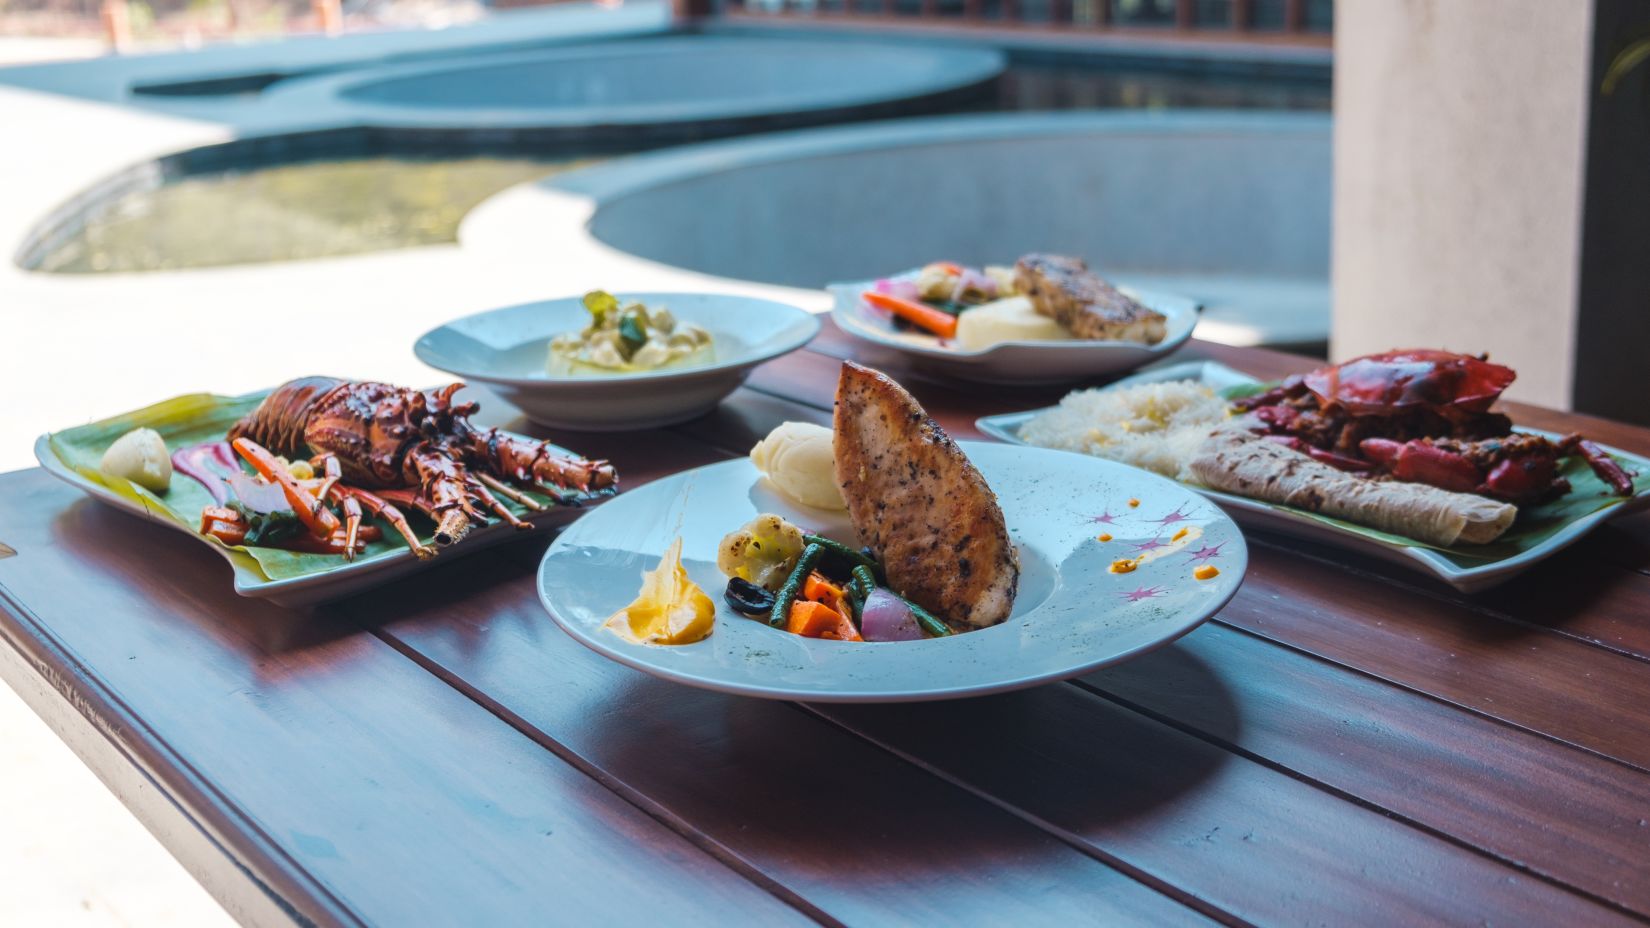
[816, 587]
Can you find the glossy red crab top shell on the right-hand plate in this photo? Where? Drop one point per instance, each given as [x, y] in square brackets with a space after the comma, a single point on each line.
[1415, 377]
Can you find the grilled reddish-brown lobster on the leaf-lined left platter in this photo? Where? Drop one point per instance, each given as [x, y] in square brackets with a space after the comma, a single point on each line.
[380, 445]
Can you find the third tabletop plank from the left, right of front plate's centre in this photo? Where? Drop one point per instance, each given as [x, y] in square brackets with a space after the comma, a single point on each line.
[1245, 838]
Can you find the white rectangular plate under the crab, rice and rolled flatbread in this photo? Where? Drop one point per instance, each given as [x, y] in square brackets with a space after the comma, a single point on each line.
[1468, 575]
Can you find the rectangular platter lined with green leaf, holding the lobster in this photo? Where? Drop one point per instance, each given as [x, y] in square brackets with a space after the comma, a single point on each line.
[323, 579]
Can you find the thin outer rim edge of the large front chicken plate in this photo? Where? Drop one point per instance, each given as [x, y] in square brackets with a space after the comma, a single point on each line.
[631, 655]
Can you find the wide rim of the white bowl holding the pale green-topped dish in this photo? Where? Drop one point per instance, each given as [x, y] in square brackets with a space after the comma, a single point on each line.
[760, 354]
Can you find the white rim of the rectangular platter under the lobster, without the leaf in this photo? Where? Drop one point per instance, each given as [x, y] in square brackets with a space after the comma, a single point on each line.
[347, 579]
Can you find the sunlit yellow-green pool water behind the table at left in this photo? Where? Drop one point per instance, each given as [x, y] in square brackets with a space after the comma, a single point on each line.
[290, 214]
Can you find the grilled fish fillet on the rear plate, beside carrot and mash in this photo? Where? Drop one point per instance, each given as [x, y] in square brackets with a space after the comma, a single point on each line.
[1067, 291]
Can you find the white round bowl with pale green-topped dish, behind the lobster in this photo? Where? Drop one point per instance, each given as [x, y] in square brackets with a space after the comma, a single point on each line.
[509, 351]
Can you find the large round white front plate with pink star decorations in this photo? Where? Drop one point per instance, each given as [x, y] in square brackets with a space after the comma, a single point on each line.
[1072, 617]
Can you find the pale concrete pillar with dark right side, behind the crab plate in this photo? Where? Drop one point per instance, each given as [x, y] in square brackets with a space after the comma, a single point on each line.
[1492, 191]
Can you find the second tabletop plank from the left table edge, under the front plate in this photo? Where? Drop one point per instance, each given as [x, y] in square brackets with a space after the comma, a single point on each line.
[856, 833]
